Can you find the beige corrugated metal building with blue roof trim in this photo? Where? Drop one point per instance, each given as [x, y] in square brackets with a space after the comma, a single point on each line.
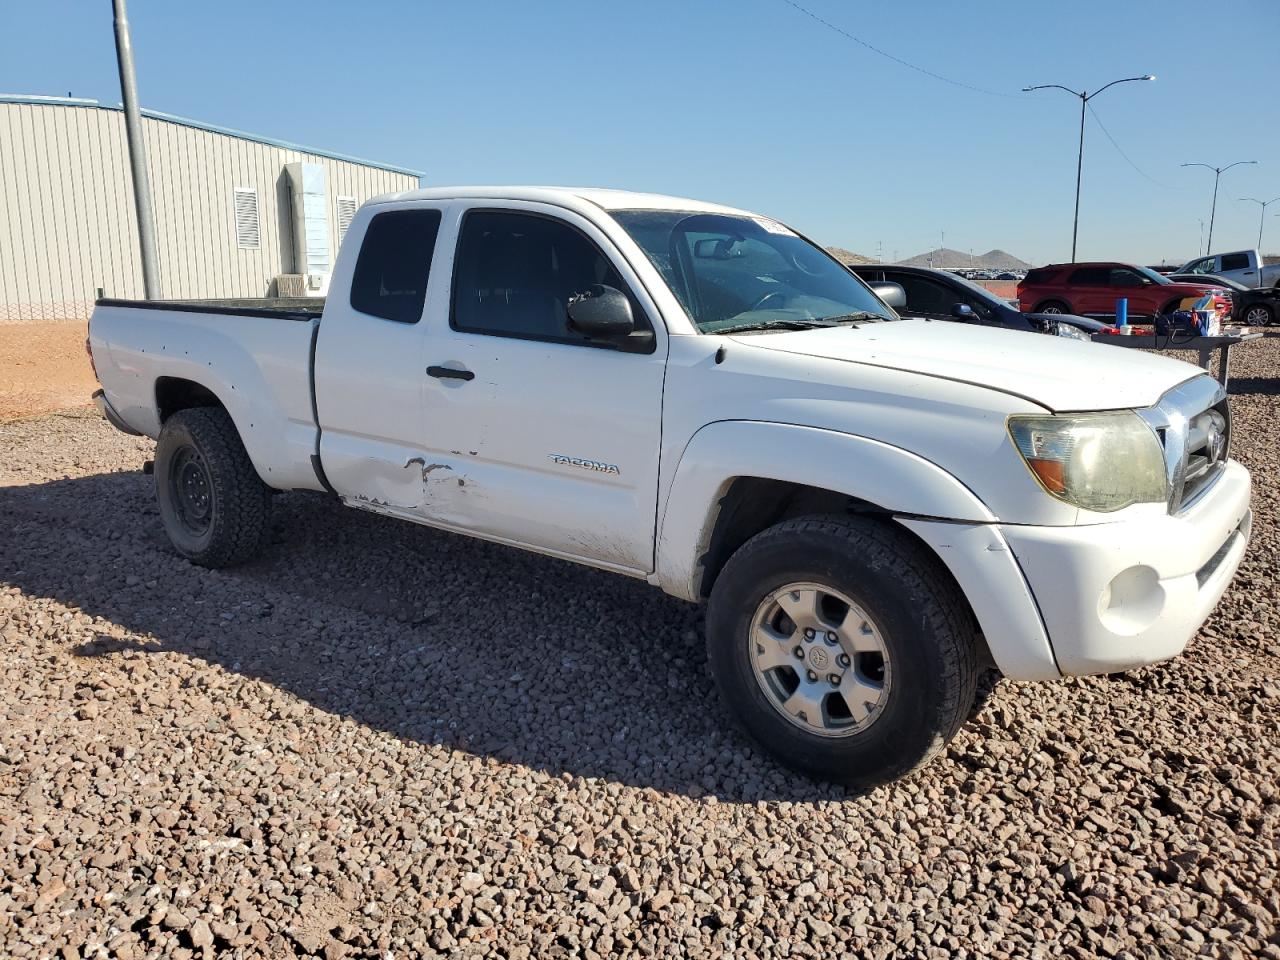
[237, 216]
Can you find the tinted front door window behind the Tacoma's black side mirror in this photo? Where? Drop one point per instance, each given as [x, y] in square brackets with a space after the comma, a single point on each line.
[516, 275]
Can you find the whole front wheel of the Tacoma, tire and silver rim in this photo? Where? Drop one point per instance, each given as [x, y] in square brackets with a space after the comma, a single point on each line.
[843, 648]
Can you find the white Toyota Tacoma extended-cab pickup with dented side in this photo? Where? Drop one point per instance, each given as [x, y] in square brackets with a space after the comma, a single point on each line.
[696, 396]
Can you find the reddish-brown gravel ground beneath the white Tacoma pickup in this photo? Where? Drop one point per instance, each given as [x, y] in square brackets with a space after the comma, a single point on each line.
[382, 740]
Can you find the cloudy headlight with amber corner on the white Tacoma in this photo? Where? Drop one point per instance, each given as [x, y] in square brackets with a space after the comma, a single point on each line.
[1095, 461]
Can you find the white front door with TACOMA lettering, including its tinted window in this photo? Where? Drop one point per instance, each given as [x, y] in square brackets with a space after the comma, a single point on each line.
[554, 444]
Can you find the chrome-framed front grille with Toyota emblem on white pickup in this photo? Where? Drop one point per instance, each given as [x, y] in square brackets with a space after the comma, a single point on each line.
[1194, 423]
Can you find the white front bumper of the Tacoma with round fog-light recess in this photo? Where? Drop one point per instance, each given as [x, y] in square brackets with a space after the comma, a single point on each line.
[1107, 597]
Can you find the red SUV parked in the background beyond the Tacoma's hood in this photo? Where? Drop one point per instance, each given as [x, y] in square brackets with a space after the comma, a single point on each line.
[1095, 289]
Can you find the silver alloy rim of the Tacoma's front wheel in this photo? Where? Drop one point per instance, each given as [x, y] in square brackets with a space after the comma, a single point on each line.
[820, 660]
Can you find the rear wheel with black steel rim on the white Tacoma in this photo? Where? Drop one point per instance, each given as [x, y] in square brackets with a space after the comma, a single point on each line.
[214, 506]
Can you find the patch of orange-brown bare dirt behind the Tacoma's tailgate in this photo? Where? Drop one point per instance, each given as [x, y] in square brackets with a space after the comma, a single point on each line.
[44, 368]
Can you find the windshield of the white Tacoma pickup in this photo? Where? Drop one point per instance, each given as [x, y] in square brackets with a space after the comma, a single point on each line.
[743, 272]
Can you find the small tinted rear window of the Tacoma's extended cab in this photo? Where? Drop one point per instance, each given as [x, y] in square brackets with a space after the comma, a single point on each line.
[395, 263]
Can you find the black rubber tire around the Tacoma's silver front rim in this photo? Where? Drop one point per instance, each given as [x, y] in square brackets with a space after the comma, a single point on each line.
[922, 618]
